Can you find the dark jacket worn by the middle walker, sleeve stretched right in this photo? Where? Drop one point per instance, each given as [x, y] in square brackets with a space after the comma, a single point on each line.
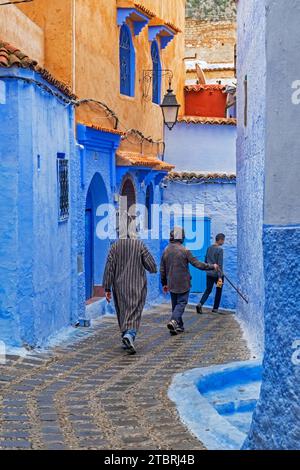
[174, 268]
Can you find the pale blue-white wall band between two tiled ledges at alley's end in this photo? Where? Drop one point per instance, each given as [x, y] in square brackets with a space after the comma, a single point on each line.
[202, 147]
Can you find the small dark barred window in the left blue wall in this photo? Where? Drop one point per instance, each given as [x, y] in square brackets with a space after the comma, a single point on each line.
[63, 186]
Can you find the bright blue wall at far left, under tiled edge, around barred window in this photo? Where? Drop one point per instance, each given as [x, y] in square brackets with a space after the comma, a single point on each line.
[36, 255]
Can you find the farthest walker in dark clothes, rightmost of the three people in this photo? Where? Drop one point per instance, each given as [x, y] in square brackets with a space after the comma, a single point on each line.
[214, 254]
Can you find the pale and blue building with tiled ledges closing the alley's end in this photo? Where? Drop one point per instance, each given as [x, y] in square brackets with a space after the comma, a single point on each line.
[203, 150]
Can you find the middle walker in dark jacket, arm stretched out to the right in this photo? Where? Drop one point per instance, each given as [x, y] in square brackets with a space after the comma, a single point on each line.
[176, 278]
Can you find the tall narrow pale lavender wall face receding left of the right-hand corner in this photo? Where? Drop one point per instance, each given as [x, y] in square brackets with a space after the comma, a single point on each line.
[250, 168]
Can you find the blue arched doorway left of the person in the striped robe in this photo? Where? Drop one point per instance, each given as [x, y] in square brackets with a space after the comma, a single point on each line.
[96, 250]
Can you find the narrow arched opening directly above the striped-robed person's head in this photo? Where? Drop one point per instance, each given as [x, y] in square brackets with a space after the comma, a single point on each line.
[127, 207]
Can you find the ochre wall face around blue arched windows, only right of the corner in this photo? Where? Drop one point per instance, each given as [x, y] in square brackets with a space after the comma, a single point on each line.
[97, 62]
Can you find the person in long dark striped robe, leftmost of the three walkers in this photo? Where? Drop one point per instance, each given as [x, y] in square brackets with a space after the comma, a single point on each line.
[125, 276]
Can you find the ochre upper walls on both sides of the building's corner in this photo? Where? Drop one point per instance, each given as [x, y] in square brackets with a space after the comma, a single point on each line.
[92, 68]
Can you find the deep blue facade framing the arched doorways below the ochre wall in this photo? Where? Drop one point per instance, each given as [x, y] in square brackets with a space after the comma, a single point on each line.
[98, 161]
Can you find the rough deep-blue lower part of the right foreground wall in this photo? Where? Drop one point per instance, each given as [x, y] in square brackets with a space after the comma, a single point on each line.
[277, 416]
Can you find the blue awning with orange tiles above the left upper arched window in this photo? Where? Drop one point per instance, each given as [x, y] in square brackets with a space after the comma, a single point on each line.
[139, 15]
